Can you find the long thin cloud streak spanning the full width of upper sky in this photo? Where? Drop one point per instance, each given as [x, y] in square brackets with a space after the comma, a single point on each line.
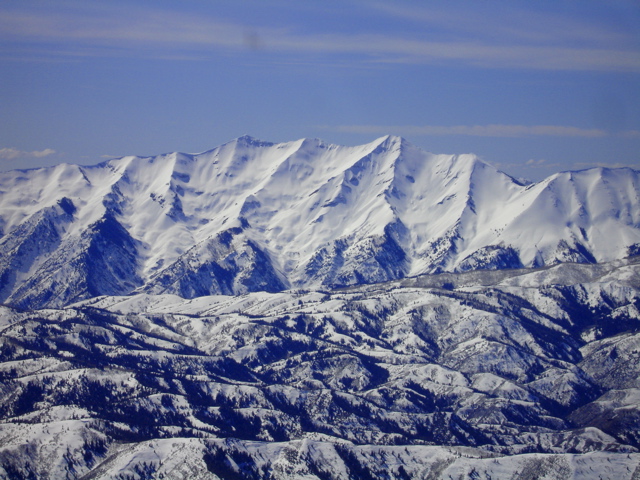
[165, 32]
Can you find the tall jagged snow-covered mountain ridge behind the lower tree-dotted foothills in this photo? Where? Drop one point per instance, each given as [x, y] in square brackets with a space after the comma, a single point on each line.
[254, 216]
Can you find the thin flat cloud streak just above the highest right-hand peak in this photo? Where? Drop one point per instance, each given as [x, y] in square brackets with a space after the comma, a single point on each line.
[474, 130]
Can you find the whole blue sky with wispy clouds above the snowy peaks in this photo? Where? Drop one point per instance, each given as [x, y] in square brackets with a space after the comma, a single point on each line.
[531, 87]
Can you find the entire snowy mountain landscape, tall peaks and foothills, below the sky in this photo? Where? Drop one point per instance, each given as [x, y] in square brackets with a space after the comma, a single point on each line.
[312, 311]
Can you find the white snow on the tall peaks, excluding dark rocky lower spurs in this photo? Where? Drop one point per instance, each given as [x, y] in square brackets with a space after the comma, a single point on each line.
[299, 199]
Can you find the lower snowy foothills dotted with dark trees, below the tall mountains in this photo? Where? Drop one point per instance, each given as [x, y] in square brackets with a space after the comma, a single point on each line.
[512, 374]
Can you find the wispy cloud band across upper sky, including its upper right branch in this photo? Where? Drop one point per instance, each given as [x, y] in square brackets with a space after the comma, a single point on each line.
[166, 34]
